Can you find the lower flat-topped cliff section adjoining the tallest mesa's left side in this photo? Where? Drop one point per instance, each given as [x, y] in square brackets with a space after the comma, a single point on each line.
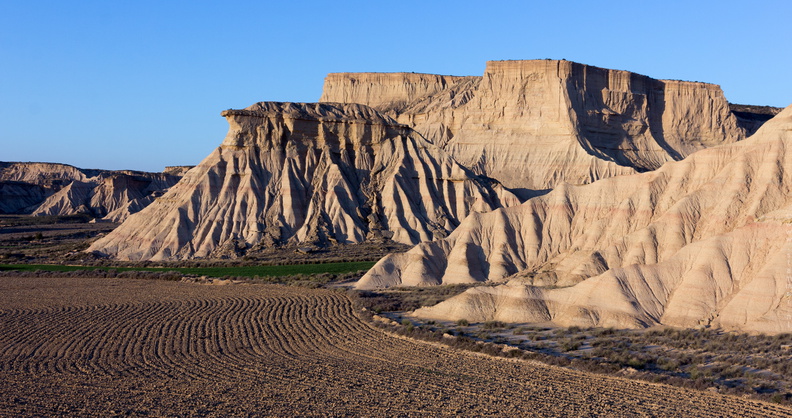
[384, 91]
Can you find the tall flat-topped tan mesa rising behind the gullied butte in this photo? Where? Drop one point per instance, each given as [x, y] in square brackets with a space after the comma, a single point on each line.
[534, 124]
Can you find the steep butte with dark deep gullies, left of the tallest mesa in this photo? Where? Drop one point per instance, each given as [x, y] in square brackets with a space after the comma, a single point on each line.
[292, 173]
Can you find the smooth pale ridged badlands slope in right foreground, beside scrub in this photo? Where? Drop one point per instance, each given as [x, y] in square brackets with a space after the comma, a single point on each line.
[706, 240]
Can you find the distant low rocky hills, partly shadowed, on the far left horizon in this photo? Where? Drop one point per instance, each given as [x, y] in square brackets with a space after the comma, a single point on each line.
[60, 189]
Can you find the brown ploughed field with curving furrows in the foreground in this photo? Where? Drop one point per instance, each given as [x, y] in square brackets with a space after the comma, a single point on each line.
[100, 347]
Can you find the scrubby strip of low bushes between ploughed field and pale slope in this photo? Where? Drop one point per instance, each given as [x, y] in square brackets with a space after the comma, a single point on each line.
[754, 365]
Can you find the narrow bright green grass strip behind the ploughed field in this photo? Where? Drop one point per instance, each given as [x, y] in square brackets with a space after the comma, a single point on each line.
[242, 271]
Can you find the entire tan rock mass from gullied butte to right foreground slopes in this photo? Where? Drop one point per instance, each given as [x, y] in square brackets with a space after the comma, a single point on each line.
[597, 197]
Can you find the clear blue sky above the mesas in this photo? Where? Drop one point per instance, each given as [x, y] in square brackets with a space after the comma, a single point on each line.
[140, 84]
